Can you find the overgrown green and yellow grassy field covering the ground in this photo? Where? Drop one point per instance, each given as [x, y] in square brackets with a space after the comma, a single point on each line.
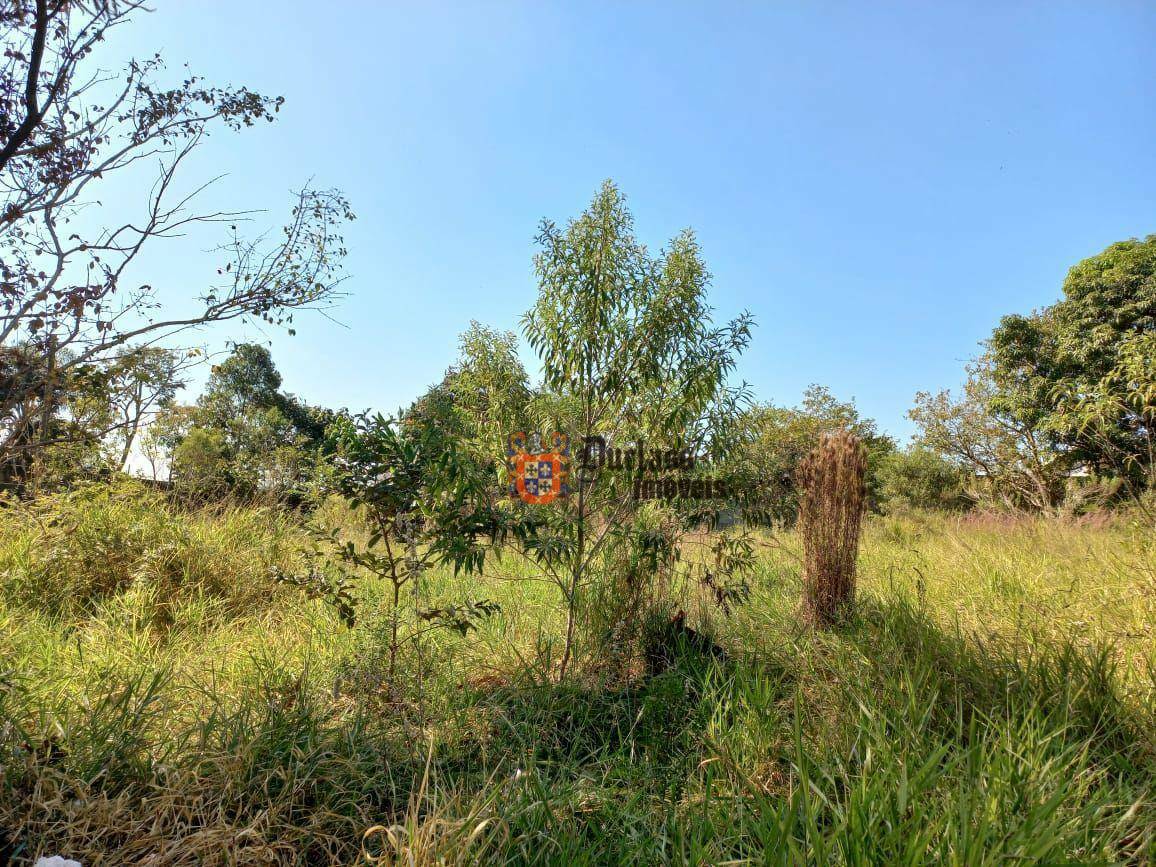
[165, 702]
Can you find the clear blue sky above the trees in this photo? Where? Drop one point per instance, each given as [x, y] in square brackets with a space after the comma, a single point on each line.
[878, 184]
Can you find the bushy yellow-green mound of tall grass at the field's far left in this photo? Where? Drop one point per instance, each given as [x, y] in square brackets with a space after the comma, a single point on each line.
[71, 553]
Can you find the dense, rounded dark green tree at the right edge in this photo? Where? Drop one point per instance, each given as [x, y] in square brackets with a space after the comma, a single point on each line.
[1049, 366]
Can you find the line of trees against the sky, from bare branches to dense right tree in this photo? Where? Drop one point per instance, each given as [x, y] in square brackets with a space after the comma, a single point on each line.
[90, 381]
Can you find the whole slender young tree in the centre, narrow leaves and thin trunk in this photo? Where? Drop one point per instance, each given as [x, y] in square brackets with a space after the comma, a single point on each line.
[629, 353]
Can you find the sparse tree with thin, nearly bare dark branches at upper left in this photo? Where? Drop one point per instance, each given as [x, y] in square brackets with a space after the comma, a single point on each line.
[66, 292]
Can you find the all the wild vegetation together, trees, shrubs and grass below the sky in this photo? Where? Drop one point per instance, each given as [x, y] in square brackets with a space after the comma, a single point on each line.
[320, 636]
